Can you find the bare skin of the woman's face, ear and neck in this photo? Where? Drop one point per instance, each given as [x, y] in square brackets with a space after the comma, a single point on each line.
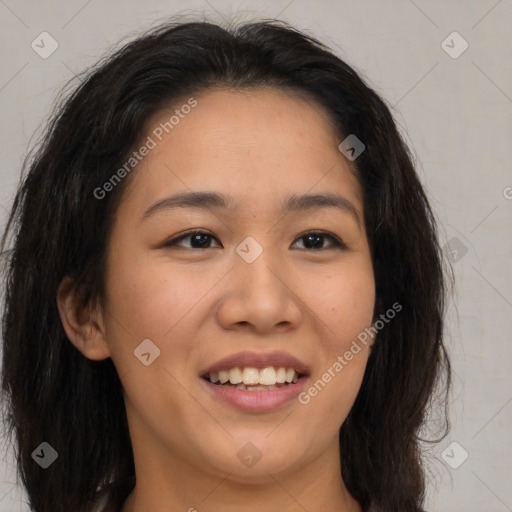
[200, 305]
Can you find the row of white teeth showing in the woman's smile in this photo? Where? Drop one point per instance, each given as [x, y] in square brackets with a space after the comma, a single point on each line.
[251, 378]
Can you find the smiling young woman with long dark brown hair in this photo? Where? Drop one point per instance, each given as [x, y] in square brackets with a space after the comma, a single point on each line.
[225, 289]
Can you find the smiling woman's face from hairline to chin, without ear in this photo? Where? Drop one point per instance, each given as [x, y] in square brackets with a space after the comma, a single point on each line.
[204, 283]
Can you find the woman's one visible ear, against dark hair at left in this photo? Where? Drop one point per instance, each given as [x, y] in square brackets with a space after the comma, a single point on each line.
[84, 326]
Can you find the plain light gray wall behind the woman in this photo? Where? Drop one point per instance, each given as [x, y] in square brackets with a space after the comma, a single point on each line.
[456, 114]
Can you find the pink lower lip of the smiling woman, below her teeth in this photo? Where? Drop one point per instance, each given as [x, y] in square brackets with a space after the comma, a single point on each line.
[256, 401]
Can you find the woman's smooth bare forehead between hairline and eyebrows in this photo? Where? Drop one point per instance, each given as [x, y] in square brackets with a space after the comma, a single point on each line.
[256, 144]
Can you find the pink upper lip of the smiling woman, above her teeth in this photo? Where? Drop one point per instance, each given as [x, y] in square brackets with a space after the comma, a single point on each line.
[258, 360]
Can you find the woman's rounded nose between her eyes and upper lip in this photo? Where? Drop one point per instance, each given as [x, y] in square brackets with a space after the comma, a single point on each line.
[260, 297]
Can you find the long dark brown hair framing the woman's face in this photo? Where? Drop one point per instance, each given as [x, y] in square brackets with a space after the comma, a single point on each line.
[58, 228]
